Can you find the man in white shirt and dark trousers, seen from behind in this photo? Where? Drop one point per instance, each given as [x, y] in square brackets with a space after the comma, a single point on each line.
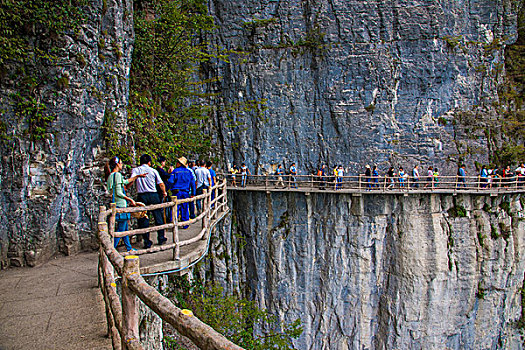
[147, 194]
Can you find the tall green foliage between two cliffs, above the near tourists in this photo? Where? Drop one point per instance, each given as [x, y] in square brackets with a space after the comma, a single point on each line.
[168, 109]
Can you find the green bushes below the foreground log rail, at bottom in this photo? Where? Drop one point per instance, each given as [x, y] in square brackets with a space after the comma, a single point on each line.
[236, 318]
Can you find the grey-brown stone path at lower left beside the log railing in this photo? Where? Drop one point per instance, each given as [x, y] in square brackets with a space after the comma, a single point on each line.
[54, 306]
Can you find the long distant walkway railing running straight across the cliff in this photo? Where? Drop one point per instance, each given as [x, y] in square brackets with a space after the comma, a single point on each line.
[362, 183]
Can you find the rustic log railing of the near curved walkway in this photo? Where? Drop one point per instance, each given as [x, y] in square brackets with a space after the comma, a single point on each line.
[122, 313]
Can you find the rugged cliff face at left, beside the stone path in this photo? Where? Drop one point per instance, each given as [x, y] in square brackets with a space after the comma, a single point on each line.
[50, 189]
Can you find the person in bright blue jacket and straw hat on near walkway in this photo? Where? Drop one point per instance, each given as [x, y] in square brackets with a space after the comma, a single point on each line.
[180, 183]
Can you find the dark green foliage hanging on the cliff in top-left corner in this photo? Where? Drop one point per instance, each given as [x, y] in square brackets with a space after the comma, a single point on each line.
[25, 59]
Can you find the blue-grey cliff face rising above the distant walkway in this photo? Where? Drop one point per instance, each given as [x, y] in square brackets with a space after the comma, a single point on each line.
[356, 82]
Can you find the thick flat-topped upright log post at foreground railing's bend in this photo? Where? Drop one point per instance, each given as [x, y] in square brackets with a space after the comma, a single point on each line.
[130, 307]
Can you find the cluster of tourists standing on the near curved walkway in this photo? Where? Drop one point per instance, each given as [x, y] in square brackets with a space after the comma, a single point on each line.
[157, 185]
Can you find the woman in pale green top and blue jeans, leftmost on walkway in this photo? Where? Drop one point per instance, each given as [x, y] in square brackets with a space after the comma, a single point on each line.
[115, 185]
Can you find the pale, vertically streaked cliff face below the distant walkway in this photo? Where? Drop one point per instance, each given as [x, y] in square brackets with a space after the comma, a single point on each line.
[380, 271]
